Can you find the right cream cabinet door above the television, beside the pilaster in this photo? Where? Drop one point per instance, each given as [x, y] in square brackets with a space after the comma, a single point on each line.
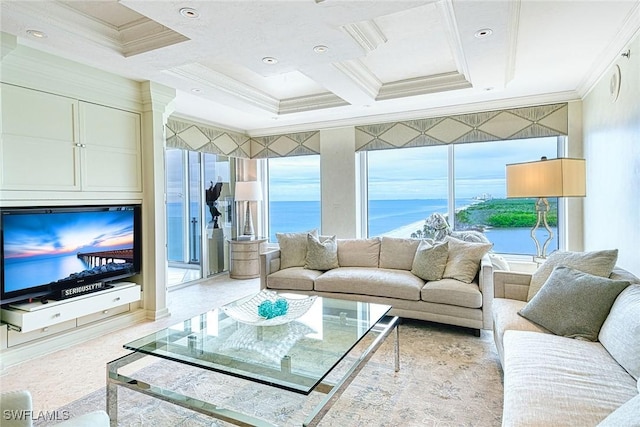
[111, 151]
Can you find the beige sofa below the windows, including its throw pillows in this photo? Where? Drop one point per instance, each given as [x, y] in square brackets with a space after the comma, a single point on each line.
[386, 270]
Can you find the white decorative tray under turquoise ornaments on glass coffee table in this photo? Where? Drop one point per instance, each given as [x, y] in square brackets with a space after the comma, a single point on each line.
[247, 312]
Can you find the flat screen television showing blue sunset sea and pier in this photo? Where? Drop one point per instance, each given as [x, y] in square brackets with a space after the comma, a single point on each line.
[47, 250]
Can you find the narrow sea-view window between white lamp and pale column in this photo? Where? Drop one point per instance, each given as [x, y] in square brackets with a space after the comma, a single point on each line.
[294, 194]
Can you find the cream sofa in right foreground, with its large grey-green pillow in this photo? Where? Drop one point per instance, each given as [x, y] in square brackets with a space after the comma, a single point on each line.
[552, 379]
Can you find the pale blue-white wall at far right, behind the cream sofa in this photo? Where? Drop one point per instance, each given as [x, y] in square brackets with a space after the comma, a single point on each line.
[612, 149]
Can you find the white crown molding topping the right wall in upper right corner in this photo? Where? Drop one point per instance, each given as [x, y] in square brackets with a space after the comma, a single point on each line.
[629, 30]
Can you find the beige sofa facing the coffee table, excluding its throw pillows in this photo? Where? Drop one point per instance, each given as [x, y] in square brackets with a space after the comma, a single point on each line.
[378, 270]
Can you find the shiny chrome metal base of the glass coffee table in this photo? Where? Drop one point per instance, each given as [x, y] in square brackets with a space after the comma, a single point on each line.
[332, 391]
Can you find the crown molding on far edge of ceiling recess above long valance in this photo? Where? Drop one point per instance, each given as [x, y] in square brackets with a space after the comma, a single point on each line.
[423, 85]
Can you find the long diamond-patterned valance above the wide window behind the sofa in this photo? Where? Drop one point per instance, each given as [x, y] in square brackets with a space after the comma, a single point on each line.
[517, 123]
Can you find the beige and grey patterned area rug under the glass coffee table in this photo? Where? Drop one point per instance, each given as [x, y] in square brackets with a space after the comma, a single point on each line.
[447, 377]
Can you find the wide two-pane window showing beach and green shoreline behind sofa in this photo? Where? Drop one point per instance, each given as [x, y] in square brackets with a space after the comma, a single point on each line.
[407, 185]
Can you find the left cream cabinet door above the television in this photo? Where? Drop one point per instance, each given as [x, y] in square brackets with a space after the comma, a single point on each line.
[38, 149]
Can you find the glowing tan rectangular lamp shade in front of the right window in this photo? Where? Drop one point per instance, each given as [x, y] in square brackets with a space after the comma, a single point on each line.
[547, 178]
